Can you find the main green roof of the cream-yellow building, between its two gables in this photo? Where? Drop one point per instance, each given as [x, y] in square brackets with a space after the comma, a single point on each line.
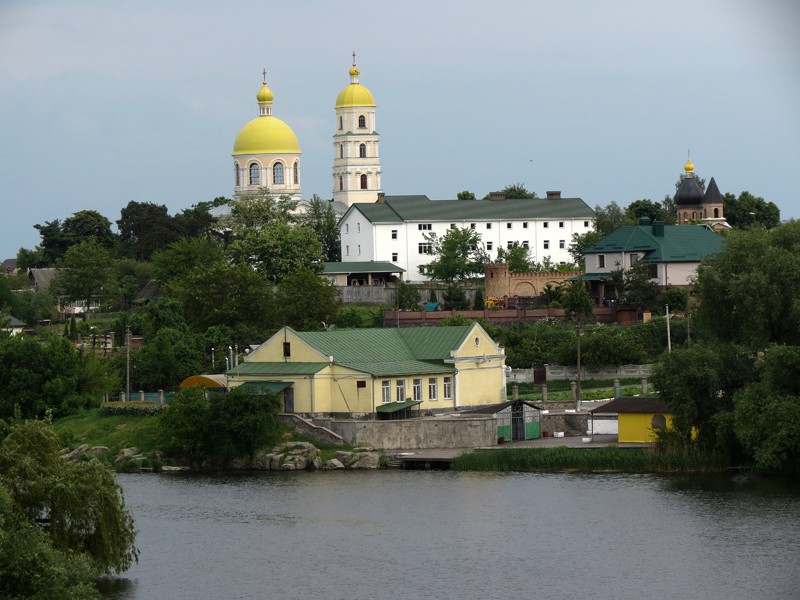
[390, 351]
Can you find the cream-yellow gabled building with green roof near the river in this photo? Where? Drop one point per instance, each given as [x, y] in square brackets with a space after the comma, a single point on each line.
[369, 372]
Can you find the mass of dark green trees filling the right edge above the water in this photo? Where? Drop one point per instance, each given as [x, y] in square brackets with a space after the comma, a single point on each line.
[737, 388]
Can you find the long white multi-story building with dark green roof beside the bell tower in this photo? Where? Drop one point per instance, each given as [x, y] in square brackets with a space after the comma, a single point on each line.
[396, 228]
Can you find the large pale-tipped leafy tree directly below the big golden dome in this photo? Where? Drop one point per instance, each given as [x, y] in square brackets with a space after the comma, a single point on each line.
[268, 236]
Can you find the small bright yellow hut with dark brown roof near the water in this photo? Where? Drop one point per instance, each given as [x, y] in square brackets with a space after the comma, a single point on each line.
[639, 417]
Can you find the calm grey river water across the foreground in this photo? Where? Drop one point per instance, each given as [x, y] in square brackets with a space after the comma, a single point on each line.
[468, 536]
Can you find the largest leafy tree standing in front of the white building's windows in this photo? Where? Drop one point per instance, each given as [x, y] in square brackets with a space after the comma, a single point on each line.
[458, 255]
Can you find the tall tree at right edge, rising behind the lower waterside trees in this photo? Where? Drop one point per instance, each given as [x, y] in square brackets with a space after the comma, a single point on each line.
[749, 291]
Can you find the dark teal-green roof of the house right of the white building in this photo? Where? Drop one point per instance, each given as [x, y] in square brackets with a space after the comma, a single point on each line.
[679, 243]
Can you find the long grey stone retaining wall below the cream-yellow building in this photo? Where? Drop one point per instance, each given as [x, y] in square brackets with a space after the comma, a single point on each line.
[412, 434]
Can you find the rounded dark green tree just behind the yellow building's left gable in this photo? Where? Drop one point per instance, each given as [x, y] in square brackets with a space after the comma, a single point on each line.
[308, 302]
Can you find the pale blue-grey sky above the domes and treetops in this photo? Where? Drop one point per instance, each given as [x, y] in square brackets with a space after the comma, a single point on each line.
[106, 102]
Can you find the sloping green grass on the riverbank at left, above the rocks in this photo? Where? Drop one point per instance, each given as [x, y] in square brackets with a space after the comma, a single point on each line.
[115, 432]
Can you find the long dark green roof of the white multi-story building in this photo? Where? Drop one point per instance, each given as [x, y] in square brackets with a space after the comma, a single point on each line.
[397, 209]
